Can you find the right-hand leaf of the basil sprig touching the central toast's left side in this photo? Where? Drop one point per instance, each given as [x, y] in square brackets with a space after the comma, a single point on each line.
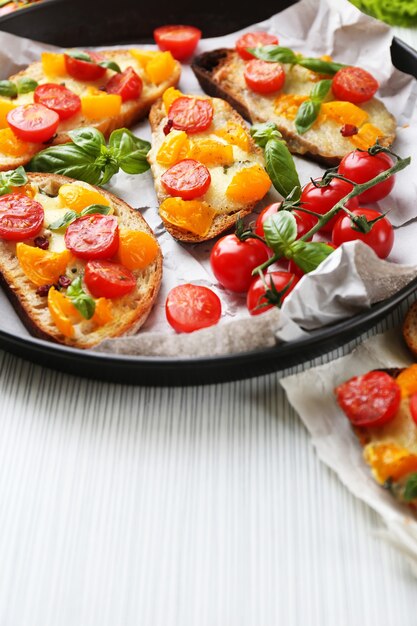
[130, 151]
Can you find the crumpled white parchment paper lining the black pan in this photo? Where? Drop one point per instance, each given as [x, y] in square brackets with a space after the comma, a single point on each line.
[342, 286]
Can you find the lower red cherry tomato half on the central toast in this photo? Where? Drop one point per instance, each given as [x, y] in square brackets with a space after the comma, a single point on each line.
[188, 179]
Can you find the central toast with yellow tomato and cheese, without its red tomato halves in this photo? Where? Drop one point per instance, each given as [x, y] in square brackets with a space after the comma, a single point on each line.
[231, 157]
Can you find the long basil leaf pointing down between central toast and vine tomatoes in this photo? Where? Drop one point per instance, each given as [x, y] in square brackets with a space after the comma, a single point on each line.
[281, 168]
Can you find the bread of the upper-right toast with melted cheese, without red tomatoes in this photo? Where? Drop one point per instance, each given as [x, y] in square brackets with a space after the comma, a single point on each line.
[221, 73]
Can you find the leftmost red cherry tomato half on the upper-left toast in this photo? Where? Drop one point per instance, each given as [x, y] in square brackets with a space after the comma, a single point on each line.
[33, 122]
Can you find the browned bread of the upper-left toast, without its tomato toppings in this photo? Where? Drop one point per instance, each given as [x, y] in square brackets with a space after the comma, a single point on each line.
[131, 110]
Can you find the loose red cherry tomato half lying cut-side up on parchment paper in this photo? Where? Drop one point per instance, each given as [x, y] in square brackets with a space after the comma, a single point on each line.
[191, 307]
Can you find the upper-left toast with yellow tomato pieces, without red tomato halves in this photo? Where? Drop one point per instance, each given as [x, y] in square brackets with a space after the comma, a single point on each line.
[157, 70]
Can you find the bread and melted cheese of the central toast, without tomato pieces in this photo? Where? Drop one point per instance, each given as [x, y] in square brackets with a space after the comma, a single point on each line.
[226, 210]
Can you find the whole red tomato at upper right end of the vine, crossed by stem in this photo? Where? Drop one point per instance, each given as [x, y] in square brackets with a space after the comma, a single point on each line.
[361, 167]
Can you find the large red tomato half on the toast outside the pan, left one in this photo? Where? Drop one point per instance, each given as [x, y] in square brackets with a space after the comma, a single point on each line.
[369, 400]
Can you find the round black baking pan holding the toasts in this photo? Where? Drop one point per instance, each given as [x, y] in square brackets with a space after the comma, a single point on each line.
[87, 23]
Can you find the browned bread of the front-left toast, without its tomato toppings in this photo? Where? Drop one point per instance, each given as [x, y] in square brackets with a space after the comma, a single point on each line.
[128, 312]
